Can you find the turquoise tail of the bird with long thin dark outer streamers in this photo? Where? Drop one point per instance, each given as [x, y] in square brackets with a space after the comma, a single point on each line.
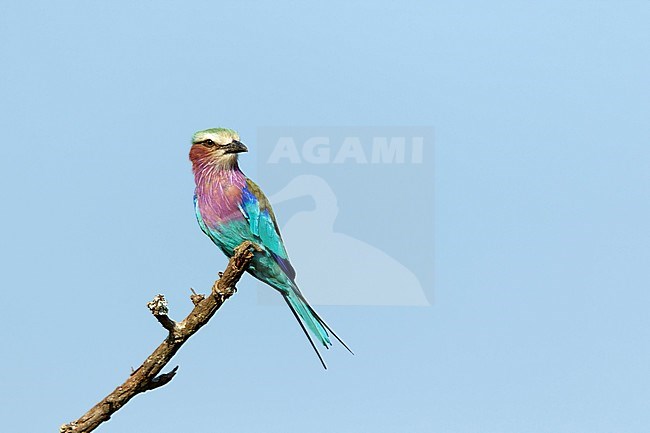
[309, 319]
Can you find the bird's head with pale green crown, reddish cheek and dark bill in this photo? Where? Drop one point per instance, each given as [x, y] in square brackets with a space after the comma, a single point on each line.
[216, 147]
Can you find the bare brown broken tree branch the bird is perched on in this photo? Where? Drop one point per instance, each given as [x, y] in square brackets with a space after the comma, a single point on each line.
[147, 376]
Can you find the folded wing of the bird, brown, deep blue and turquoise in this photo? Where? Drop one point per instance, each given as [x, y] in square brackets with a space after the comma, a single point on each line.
[256, 208]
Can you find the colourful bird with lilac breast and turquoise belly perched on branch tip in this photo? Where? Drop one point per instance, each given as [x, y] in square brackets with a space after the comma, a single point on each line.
[230, 209]
